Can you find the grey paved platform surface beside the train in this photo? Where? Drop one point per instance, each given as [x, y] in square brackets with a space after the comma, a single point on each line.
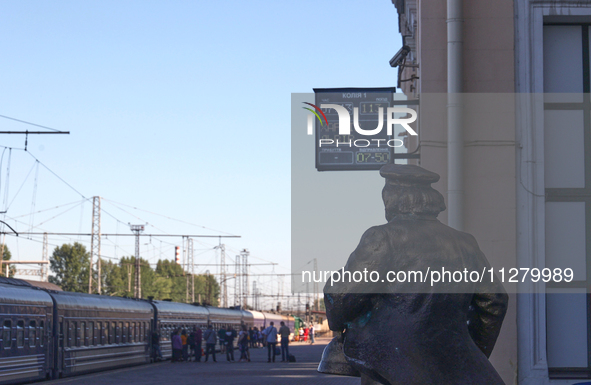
[256, 372]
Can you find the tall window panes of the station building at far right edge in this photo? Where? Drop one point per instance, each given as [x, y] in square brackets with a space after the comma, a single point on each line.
[567, 162]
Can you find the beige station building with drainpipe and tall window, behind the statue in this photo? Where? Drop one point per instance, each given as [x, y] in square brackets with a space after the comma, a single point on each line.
[526, 182]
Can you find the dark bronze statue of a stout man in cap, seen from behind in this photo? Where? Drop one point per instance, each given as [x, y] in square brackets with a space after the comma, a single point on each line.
[402, 333]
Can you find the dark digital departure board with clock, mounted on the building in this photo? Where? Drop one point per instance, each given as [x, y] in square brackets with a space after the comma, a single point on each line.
[353, 151]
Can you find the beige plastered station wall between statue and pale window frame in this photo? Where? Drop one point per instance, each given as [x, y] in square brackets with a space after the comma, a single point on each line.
[489, 164]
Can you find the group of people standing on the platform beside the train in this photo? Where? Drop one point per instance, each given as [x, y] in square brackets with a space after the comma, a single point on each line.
[186, 346]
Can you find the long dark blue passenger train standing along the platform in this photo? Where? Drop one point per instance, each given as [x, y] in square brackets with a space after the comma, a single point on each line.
[52, 334]
